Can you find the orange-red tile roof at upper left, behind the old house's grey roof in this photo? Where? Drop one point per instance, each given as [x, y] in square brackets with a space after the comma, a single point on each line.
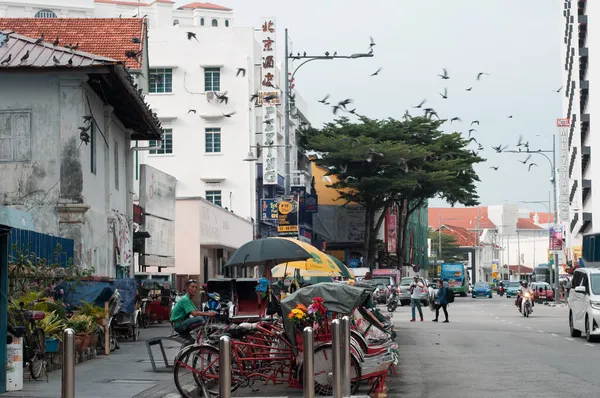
[108, 37]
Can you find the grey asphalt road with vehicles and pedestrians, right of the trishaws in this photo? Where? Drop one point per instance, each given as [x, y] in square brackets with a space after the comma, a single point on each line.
[490, 350]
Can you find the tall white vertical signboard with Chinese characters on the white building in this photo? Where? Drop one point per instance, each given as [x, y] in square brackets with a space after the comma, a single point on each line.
[269, 98]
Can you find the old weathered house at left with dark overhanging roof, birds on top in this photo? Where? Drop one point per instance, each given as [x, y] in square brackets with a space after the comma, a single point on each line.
[74, 175]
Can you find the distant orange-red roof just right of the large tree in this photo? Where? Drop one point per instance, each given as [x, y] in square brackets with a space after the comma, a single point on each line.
[467, 217]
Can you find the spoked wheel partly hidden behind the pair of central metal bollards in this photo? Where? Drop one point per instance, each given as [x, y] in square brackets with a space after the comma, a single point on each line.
[323, 368]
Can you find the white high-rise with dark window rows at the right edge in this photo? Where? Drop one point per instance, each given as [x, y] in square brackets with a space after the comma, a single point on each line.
[581, 180]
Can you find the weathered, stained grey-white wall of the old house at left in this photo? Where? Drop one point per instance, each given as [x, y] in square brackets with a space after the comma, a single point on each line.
[59, 185]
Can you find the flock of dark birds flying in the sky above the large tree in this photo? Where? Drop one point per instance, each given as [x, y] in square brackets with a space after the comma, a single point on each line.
[521, 146]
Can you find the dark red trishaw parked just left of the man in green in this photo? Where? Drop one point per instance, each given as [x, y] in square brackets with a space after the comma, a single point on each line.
[156, 307]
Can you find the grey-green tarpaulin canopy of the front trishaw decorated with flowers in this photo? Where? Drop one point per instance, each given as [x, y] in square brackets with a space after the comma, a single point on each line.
[337, 297]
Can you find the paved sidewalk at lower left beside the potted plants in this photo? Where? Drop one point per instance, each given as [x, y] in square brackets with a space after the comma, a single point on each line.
[125, 373]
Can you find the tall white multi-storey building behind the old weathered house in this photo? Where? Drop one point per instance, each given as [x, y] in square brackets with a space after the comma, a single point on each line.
[201, 147]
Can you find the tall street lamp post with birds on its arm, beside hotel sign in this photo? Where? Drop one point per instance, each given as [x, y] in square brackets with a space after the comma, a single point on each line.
[287, 90]
